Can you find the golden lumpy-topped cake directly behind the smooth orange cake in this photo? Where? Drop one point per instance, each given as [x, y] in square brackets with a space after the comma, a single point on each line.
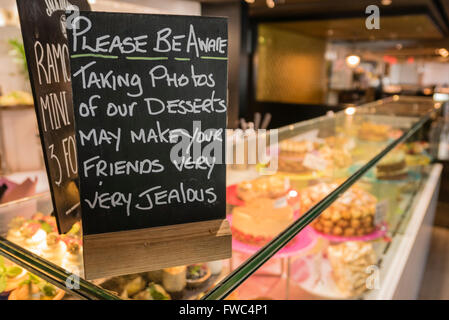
[263, 187]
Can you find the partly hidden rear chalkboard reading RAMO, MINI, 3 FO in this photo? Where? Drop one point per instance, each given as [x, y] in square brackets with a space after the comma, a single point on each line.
[45, 41]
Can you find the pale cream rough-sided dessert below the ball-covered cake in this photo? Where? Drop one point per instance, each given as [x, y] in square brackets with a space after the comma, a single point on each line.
[350, 262]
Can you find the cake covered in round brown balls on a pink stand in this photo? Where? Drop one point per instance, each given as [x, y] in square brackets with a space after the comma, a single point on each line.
[350, 215]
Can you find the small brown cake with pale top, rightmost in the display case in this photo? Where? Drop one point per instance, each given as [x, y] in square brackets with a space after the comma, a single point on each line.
[392, 167]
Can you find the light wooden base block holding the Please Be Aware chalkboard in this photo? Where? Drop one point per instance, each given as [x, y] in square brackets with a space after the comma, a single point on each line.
[125, 252]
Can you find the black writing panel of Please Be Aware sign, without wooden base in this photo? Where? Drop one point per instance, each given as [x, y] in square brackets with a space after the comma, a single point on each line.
[137, 80]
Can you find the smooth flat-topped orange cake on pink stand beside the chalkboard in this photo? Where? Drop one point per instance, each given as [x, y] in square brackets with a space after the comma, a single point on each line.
[259, 221]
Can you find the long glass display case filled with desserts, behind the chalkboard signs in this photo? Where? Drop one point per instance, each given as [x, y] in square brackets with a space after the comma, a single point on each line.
[334, 209]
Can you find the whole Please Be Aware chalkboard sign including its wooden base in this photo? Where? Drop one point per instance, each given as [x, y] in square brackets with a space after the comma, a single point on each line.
[184, 229]
